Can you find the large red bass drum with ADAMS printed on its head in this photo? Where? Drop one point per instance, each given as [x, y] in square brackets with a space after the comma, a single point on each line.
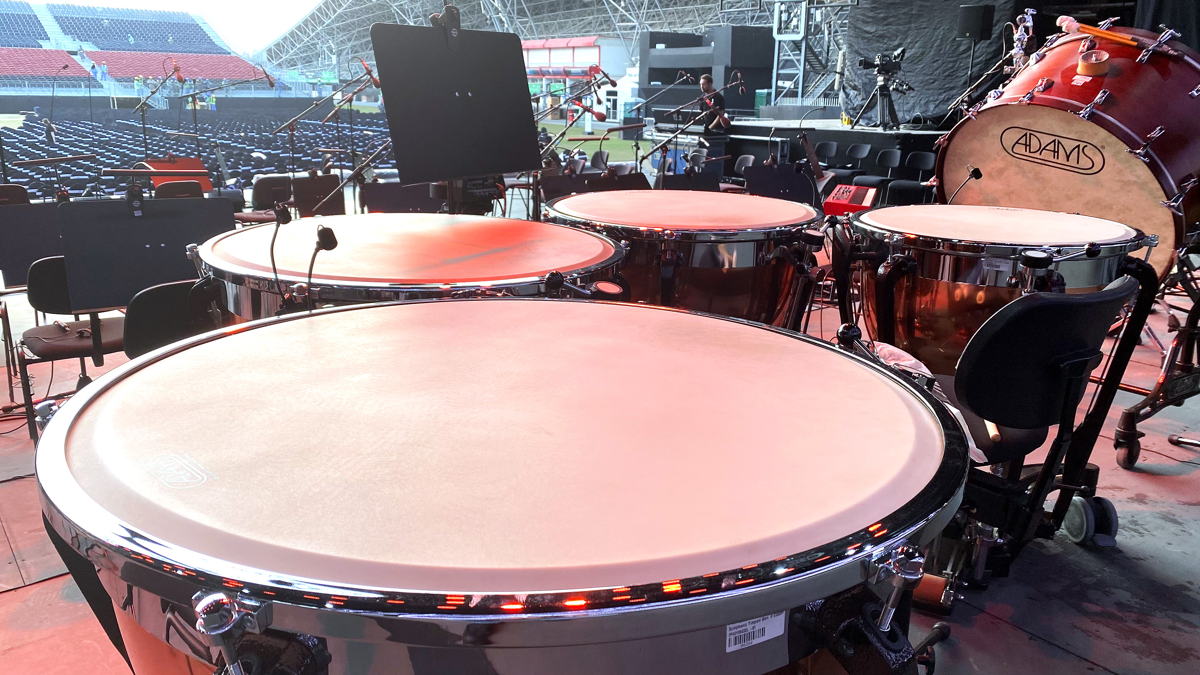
[1123, 146]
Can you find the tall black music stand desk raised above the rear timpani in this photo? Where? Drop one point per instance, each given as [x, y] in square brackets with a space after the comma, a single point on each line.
[458, 103]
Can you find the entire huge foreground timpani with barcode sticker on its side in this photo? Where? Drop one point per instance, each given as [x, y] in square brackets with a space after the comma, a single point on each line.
[526, 488]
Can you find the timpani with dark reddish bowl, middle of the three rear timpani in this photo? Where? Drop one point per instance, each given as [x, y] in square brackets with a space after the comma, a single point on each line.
[717, 253]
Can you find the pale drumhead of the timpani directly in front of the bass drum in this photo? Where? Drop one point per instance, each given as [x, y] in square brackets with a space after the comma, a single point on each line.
[998, 225]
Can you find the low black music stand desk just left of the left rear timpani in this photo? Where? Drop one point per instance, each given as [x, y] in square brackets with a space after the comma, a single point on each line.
[112, 255]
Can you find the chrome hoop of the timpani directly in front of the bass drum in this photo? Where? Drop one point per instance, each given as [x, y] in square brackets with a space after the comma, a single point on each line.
[975, 249]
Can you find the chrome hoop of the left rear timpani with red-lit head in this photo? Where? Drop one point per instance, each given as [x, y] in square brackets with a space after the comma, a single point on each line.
[257, 280]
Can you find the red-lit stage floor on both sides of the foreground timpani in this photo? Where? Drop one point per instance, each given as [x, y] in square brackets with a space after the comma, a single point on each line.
[1133, 610]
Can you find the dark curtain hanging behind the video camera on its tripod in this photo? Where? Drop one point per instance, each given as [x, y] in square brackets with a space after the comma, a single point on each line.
[935, 64]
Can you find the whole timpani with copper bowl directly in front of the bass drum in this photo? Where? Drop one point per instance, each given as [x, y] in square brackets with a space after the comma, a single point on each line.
[964, 265]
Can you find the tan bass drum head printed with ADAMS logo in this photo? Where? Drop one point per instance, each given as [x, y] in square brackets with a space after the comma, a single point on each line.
[1041, 158]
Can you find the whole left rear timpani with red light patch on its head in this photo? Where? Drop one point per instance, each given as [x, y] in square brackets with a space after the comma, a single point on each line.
[401, 258]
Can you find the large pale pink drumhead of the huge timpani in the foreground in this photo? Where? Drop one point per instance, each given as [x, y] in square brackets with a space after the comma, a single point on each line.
[493, 446]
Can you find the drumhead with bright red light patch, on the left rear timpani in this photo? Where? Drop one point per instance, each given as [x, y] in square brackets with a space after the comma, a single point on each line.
[410, 249]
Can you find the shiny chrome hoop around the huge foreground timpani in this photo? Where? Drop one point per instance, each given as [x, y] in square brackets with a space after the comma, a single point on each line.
[106, 536]
